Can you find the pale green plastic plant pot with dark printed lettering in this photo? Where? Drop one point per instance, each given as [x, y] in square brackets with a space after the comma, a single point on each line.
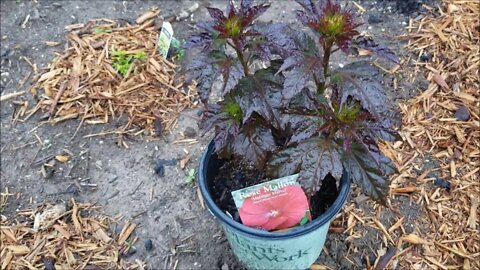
[296, 248]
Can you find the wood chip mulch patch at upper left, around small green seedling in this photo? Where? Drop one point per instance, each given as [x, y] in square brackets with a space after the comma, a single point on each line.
[81, 81]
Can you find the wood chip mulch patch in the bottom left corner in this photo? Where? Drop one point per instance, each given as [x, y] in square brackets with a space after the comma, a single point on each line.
[52, 237]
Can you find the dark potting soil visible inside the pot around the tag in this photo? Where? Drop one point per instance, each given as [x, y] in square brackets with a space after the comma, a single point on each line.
[238, 174]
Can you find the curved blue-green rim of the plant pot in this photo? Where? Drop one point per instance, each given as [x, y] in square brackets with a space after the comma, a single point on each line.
[325, 218]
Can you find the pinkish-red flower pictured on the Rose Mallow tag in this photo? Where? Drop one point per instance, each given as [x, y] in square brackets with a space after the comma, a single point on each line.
[275, 210]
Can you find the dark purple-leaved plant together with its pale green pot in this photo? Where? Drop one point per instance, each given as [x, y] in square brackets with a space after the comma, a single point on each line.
[284, 111]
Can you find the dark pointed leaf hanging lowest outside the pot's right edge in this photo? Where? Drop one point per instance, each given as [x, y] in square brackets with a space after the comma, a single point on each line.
[364, 171]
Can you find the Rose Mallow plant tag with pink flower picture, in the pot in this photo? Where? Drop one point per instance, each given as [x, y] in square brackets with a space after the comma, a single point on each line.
[274, 205]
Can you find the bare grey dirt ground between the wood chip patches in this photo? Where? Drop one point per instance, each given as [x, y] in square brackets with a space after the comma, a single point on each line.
[121, 180]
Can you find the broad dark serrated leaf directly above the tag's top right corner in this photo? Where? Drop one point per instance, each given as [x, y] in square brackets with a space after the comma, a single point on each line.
[313, 159]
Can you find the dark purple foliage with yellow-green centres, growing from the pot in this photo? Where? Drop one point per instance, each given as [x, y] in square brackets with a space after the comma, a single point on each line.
[274, 111]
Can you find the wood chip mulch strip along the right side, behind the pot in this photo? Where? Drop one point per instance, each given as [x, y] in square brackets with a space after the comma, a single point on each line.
[434, 199]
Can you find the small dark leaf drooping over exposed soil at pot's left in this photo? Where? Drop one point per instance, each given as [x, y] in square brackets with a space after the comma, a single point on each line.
[254, 142]
